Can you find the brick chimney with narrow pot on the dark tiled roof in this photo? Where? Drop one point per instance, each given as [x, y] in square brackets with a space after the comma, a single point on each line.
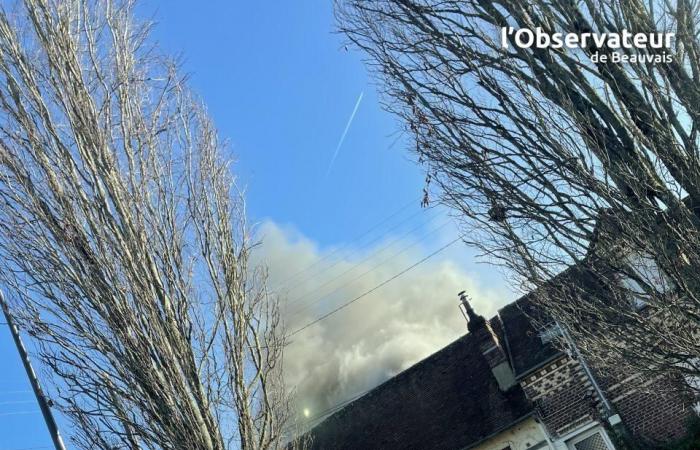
[488, 343]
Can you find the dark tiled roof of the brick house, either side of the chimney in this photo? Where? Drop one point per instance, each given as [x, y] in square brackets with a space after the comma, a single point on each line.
[449, 400]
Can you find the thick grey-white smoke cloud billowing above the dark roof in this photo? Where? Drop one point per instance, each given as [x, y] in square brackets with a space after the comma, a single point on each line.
[379, 335]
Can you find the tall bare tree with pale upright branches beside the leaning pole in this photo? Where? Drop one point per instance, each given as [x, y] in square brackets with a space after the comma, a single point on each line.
[123, 239]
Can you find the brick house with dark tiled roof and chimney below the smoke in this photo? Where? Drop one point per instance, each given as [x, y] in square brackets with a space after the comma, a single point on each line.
[505, 386]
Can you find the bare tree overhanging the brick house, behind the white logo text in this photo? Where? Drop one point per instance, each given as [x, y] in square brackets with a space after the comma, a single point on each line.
[554, 160]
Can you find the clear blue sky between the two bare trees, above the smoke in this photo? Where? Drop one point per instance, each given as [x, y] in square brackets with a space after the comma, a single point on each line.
[281, 87]
